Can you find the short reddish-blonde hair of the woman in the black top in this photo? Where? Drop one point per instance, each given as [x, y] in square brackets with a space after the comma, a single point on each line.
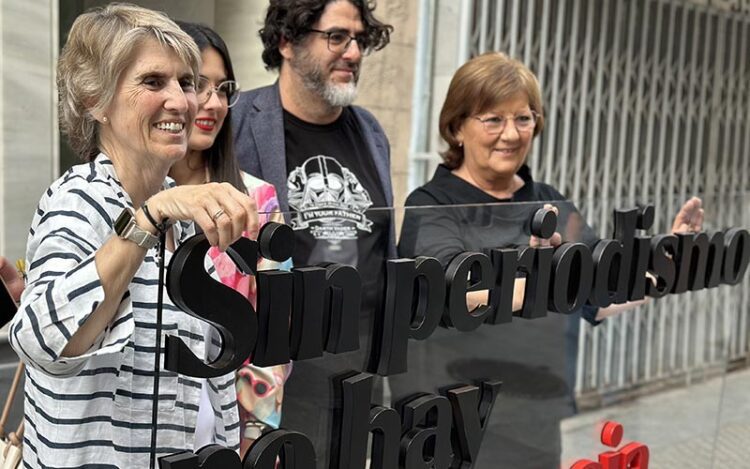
[478, 85]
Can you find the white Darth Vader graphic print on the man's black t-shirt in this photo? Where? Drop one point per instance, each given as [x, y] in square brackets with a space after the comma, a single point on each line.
[329, 200]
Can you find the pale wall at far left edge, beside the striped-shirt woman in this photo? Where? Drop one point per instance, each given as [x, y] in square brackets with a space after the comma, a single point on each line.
[28, 117]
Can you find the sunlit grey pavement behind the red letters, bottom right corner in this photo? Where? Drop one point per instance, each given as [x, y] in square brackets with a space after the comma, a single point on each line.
[705, 425]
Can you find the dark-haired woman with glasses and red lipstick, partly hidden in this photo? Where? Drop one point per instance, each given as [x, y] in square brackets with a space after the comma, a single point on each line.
[210, 158]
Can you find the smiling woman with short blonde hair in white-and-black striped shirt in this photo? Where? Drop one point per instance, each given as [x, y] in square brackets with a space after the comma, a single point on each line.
[86, 326]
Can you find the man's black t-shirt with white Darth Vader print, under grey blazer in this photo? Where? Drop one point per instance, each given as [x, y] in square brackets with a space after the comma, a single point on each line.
[334, 192]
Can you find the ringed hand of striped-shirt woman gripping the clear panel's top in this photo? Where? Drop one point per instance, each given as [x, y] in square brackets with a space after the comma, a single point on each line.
[222, 212]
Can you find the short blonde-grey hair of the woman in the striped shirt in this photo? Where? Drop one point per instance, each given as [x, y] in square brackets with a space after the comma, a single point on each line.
[100, 47]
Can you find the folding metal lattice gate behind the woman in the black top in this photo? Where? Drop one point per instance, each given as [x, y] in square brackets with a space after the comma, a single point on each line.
[646, 101]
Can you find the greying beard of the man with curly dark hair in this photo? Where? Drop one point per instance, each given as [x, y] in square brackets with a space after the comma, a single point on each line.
[315, 80]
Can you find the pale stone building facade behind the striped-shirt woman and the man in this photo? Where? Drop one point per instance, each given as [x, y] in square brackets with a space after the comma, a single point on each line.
[30, 152]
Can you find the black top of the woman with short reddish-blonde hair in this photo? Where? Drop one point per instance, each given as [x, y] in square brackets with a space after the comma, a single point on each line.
[460, 224]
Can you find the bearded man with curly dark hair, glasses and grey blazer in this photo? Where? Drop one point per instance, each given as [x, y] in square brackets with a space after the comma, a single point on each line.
[329, 161]
